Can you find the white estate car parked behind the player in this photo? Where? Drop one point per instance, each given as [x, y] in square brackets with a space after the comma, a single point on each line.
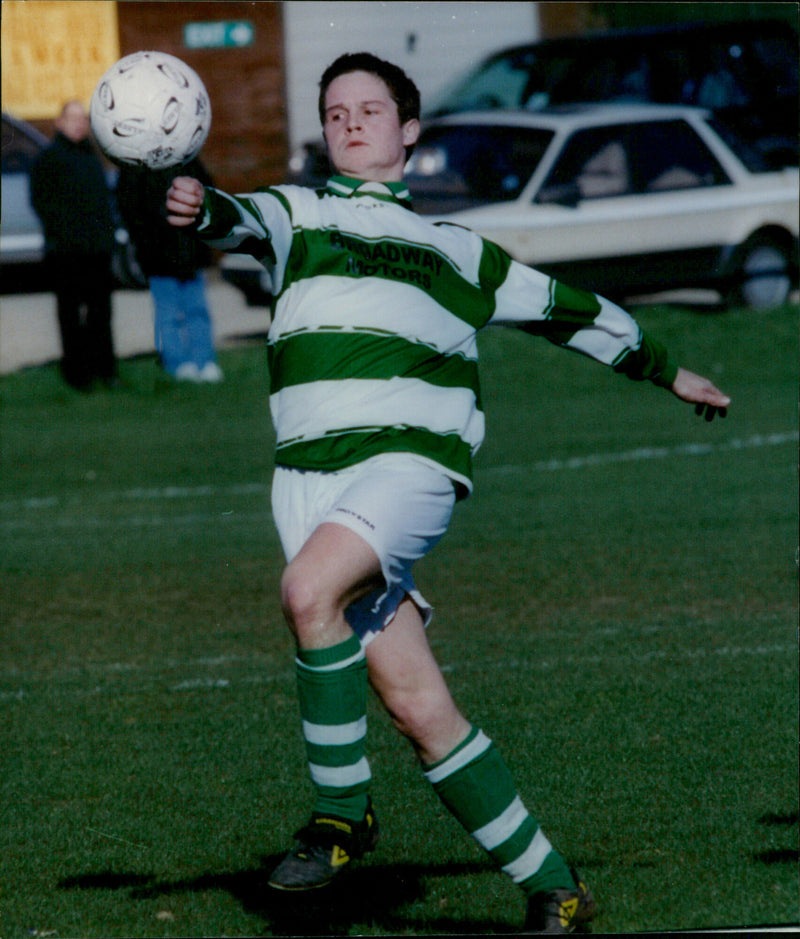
[618, 199]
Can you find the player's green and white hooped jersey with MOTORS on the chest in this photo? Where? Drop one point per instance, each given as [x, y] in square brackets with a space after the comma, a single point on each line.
[372, 345]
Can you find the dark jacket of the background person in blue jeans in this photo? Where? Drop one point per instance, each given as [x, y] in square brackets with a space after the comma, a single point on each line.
[161, 249]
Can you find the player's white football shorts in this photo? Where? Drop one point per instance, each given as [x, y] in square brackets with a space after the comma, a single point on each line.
[398, 503]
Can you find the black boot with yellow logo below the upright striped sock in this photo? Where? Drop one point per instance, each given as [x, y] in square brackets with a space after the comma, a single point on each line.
[325, 847]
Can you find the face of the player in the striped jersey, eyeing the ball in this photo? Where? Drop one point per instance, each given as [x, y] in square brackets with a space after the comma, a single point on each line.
[362, 129]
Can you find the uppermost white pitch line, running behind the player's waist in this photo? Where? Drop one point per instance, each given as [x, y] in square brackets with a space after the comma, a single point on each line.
[167, 493]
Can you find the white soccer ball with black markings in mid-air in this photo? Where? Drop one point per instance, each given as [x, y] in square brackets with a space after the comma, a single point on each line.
[150, 109]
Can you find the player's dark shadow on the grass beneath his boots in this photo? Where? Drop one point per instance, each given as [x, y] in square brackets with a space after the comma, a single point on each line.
[371, 896]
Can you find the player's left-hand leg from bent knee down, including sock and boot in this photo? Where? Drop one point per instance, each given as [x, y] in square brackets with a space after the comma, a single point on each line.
[334, 568]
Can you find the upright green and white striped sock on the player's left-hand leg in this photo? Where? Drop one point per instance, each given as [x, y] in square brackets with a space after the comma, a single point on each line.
[332, 690]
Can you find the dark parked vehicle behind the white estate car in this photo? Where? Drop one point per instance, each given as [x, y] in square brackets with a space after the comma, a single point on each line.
[745, 72]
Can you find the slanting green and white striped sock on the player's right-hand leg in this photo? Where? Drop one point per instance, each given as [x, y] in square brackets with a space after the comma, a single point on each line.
[476, 786]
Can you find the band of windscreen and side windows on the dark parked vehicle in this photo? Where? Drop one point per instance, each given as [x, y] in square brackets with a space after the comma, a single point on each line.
[736, 68]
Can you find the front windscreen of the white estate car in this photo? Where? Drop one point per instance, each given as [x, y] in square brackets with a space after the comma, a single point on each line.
[458, 166]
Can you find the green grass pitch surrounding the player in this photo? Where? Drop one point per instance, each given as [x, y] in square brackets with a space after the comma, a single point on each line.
[616, 607]
